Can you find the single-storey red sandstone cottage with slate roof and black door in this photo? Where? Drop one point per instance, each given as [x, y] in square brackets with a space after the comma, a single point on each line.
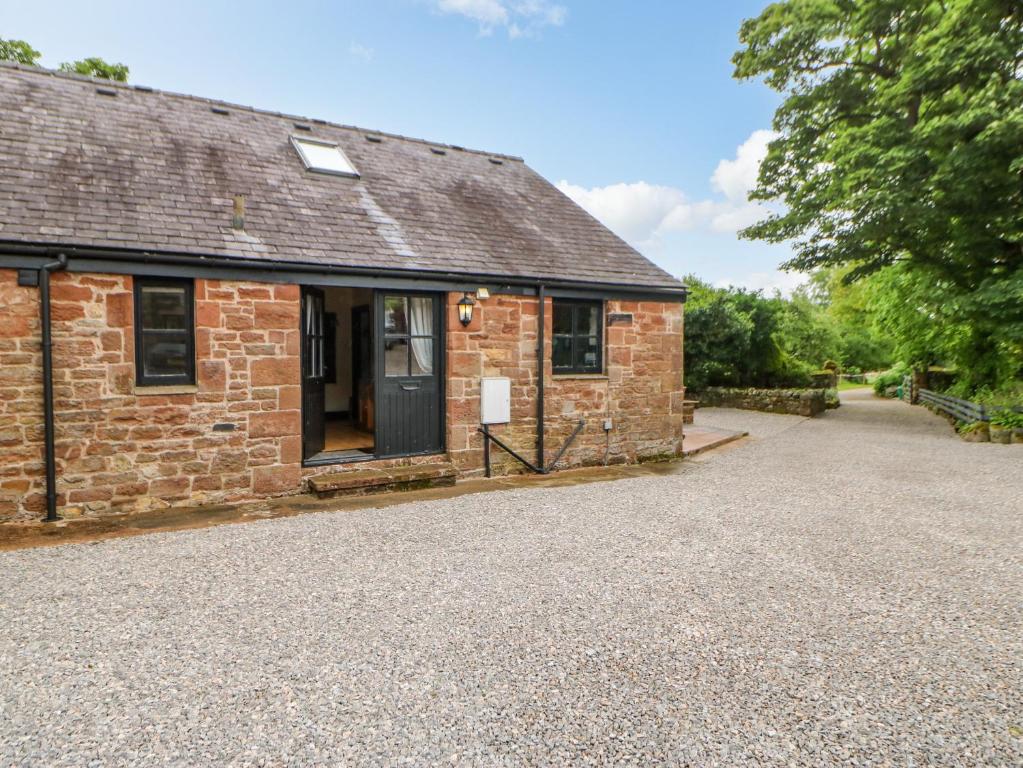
[205, 303]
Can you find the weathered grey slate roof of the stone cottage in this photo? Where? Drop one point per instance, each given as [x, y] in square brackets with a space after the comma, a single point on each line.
[156, 171]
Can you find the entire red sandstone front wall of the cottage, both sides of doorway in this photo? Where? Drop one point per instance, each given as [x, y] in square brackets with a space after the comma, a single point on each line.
[122, 448]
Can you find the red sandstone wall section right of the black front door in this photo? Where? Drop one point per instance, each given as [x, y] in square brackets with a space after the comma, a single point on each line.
[641, 392]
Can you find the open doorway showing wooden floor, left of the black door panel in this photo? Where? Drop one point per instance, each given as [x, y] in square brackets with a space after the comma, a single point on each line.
[338, 377]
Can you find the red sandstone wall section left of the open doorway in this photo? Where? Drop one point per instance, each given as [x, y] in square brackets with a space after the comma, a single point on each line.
[121, 449]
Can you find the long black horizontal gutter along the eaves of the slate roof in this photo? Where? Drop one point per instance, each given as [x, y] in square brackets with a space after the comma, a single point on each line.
[266, 265]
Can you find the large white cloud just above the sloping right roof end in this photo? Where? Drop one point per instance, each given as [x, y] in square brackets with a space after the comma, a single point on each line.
[642, 213]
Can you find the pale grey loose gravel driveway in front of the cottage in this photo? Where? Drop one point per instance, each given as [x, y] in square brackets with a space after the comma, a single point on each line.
[843, 591]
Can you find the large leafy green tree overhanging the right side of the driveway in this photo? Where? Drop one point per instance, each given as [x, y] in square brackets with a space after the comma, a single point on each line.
[901, 144]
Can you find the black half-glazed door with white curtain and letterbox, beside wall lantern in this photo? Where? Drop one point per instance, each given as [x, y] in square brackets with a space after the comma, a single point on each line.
[410, 366]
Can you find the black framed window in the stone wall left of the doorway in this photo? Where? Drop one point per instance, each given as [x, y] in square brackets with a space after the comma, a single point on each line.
[165, 332]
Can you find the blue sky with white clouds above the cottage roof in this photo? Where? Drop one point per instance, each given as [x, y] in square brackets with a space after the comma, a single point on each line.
[630, 107]
